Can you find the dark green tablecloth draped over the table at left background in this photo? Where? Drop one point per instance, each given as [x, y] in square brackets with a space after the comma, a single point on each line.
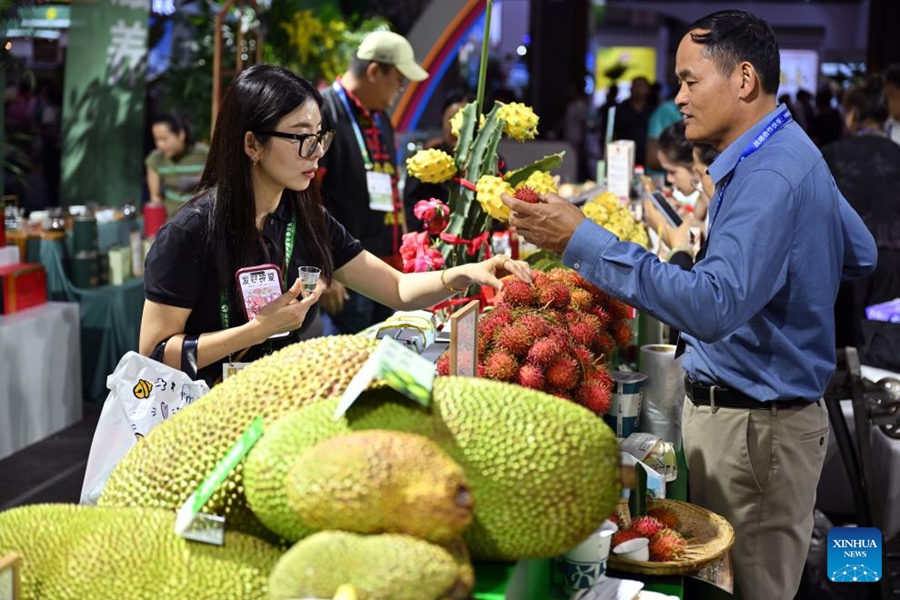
[110, 315]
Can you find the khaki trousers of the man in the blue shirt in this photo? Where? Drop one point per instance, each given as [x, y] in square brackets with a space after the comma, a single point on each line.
[758, 468]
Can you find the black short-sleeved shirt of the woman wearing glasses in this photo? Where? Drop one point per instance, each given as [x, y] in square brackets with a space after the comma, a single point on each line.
[180, 271]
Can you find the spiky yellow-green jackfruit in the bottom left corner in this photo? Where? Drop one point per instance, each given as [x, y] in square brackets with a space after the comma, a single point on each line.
[77, 552]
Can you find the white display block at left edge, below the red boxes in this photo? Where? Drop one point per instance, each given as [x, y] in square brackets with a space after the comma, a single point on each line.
[40, 374]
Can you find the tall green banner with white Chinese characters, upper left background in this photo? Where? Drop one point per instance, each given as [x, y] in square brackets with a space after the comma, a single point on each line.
[103, 104]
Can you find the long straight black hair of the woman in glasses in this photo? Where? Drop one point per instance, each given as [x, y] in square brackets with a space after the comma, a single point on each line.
[256, 101]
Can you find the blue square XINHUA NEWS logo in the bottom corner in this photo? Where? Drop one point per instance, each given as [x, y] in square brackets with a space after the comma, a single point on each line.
[854, 554]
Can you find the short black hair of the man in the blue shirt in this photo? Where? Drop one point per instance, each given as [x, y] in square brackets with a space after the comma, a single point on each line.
[734, 36]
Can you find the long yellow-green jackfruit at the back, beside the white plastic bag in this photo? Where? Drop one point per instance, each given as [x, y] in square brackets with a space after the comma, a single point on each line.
[168, 465]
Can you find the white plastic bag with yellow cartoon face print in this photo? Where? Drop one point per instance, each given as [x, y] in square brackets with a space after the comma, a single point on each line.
[142, 394]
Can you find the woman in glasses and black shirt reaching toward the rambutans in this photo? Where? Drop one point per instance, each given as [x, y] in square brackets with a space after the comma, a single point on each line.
[255, 206]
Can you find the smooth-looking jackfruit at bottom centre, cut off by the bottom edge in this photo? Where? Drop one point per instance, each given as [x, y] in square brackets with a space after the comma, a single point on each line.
[380, 567]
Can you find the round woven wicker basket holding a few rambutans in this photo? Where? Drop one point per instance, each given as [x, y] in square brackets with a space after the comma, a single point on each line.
[711, 537]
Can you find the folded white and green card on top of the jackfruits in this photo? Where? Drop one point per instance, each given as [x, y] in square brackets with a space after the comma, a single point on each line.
[401, 368]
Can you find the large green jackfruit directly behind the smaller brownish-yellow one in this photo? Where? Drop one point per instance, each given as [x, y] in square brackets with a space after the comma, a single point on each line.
[544, 471]
